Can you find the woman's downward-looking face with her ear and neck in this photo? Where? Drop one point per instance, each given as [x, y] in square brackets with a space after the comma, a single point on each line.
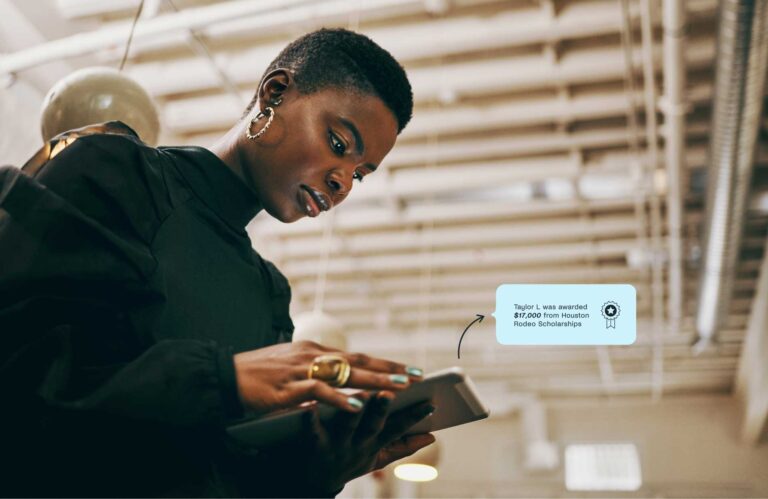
[318, 145]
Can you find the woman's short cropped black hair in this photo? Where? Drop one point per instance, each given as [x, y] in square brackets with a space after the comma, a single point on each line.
[347, 60]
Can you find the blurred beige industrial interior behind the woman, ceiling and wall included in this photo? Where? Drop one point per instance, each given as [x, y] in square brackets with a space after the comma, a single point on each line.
[553, 141]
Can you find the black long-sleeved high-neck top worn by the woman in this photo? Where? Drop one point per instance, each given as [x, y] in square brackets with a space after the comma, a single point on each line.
[127, 283]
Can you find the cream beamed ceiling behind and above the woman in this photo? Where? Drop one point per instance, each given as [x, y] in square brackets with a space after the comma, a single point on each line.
[532, 157]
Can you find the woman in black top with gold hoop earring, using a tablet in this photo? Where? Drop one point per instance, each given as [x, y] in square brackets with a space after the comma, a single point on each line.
[137, 322]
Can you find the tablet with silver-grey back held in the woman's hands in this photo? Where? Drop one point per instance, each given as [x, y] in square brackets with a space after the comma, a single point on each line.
[450, 390]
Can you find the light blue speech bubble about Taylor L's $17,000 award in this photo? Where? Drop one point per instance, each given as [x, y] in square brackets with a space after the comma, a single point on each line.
[566, 314]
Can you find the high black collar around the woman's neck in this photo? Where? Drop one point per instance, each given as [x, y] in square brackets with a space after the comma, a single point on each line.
[216, 185]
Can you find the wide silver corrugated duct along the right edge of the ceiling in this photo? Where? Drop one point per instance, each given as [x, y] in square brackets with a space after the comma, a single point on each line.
[739, 81]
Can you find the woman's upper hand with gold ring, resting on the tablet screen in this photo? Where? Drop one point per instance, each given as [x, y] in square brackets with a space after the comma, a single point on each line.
[276, 377]
